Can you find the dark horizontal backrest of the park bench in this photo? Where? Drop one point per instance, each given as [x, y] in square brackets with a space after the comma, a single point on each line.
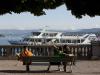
[47, 59]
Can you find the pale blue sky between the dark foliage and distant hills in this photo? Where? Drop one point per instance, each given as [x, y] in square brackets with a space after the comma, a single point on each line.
[58, 18]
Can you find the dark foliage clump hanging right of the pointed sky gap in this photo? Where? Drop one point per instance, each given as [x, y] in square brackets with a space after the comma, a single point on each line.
[83, 7]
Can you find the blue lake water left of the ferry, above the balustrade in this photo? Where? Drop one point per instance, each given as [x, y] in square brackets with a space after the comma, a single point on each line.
[12, 35]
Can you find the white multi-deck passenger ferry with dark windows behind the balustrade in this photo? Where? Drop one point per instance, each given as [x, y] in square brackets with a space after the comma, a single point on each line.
[51, 37]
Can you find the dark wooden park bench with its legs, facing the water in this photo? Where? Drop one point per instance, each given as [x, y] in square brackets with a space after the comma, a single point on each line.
[68, 58]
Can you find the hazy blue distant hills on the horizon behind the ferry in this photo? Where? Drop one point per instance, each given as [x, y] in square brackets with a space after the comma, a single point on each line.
[27, 32]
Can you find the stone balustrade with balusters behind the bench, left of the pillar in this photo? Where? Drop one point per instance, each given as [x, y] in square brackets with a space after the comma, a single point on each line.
[9, 51]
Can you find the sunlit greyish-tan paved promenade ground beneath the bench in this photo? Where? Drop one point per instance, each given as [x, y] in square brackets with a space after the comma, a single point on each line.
[12, 67]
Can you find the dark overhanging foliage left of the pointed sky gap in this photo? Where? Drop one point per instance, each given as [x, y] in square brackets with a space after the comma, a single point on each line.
[34, 6]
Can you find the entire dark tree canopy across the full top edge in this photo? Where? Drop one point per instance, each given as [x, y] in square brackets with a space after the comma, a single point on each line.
[36, 7]
